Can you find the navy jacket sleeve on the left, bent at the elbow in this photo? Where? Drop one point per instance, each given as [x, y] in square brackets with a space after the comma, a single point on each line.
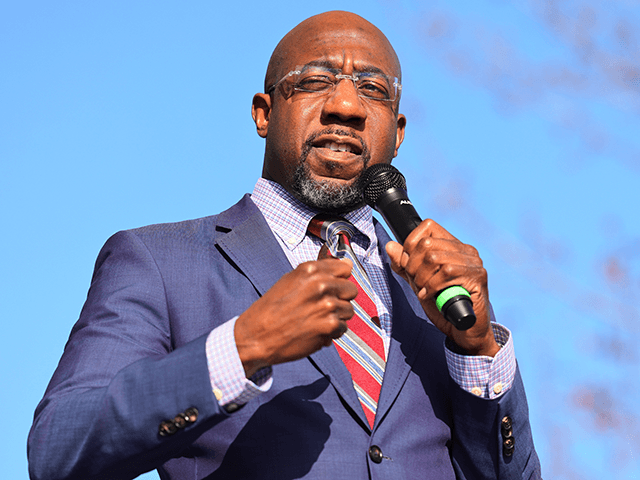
[120, 377]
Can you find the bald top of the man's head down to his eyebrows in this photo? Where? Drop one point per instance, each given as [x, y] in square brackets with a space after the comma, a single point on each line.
[321, 37]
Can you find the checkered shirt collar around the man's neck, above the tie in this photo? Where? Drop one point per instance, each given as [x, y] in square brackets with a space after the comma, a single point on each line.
[288, 217]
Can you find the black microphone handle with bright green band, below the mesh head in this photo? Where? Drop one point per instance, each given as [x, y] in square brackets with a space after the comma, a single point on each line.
[400, 215]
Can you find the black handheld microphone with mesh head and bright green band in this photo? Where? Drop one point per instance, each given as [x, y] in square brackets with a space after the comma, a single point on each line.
[385, 189]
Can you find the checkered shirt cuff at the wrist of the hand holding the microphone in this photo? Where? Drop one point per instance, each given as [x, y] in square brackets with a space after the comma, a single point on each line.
[486, 377]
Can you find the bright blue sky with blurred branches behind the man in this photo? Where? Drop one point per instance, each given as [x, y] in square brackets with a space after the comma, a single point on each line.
[522, 139]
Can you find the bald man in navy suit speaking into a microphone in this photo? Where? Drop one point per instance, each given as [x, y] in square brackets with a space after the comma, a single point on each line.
[209, 348]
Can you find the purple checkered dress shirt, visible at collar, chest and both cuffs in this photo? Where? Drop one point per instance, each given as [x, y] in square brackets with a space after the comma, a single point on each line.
[288, 219]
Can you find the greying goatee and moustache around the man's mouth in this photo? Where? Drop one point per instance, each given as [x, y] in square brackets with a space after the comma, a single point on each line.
[324, 195]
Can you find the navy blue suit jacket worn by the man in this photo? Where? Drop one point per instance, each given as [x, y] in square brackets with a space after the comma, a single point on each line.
[137, 357]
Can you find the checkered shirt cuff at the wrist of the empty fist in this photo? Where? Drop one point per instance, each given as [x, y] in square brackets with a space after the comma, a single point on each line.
[228, 381]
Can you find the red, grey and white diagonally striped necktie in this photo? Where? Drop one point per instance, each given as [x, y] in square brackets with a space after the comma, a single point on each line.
[361, 348]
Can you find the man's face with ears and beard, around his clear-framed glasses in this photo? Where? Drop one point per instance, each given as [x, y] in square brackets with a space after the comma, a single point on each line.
[318, 145]
